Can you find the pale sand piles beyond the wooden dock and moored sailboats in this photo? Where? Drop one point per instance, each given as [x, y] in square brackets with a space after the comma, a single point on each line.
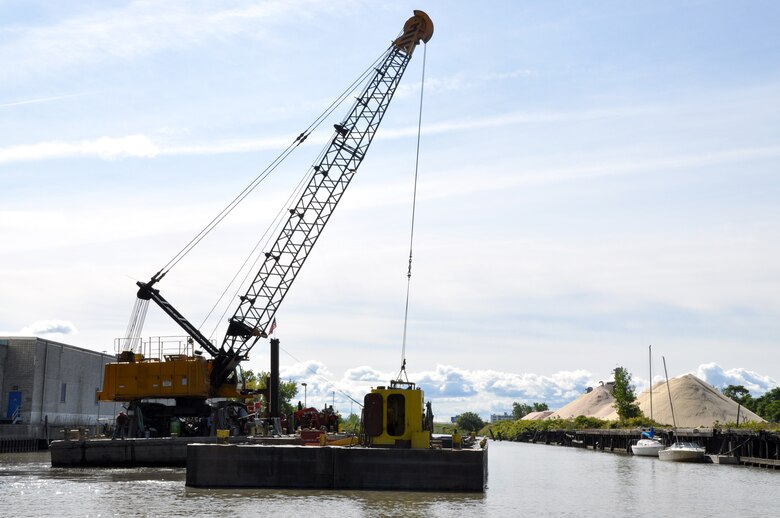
[695, 404]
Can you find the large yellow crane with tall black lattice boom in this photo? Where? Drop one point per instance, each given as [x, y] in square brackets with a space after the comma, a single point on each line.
[190, 378]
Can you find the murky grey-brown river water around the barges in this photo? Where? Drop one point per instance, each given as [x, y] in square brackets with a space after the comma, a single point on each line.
[525, 479]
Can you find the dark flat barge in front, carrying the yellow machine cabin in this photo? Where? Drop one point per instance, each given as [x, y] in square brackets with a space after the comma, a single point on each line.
[396, 452]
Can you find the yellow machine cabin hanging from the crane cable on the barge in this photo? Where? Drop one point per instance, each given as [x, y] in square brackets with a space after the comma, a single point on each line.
[396, 417]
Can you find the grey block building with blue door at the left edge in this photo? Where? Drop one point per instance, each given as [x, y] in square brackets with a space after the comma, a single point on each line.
[46, 386]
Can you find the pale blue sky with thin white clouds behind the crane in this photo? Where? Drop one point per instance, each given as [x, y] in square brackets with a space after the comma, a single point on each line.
[593, 178]
